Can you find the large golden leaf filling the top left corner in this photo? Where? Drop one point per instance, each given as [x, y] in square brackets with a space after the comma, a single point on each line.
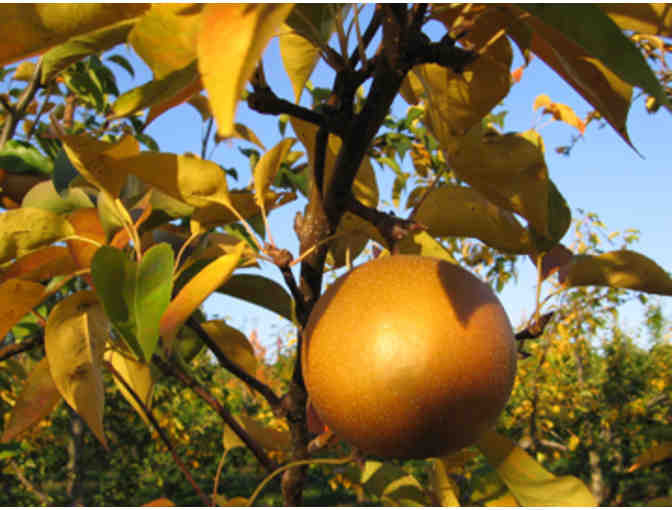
[30, 29]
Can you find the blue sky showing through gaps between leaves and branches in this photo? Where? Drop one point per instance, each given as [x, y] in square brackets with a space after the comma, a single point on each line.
[602, 175]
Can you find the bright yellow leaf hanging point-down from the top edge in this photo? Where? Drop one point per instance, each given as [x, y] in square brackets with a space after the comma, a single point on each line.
[230, 43]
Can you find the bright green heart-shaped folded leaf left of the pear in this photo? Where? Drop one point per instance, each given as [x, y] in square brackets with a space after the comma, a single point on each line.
[134, 295]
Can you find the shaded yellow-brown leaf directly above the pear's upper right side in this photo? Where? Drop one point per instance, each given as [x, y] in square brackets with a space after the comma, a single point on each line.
[463, 212]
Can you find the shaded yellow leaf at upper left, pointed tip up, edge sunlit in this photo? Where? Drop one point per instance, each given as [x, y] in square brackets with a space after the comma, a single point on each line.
[96, 161]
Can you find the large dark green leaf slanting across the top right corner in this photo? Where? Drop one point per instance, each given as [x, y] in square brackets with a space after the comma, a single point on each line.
[591, 28]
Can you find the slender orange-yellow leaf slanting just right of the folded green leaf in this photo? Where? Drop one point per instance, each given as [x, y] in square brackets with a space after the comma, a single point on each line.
[196, 291]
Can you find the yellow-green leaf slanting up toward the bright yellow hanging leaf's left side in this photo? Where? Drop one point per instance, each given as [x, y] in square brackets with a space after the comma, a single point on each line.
[182, 83]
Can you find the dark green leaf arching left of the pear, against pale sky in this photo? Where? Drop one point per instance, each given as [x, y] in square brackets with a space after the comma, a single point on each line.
[260, 291]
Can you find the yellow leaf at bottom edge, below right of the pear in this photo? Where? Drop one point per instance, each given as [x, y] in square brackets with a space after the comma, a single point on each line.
[527, 480]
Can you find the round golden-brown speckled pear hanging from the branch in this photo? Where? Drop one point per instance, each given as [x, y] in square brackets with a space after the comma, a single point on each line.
[409, 357]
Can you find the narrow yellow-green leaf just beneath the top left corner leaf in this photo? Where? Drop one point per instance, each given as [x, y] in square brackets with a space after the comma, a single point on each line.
[80, 46]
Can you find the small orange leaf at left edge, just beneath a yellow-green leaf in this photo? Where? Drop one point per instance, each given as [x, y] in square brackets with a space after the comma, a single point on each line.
[41, 265]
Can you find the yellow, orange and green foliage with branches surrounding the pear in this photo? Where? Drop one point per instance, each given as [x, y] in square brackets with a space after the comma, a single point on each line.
[108, 251]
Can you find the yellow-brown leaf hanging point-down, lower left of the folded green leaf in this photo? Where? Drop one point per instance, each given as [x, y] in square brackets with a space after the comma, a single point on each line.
[74, 340]
